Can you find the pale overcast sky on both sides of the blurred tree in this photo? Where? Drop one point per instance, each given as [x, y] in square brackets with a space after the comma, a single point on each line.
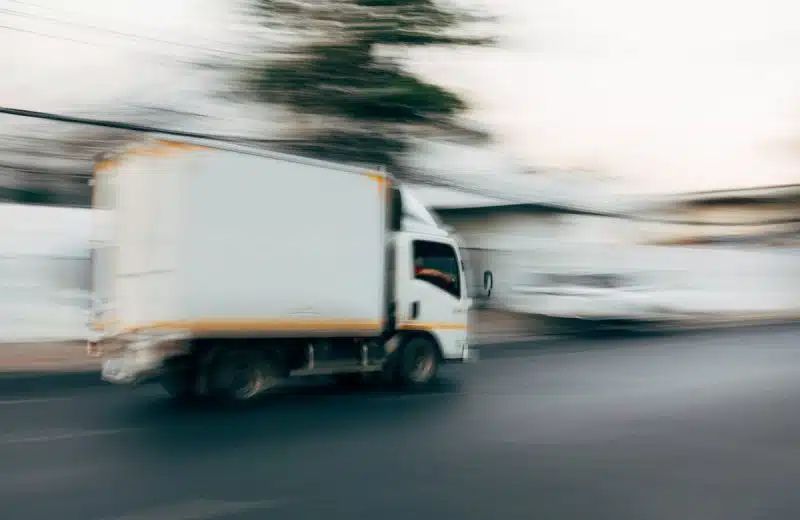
[671, 95]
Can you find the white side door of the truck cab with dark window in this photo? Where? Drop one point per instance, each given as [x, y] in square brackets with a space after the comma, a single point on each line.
[432, 291]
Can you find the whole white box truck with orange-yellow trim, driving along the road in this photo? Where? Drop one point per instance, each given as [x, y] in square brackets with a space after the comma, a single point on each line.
[220, 270]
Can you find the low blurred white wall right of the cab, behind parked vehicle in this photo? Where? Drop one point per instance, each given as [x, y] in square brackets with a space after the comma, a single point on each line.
[688, 280]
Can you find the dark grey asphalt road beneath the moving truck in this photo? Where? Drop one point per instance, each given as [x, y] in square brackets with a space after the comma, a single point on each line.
[696, 427]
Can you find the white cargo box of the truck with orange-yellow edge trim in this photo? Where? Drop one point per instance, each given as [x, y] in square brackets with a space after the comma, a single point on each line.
[227, 239]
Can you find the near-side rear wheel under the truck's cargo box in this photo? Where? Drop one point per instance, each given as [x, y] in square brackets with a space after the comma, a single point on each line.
[241, 375]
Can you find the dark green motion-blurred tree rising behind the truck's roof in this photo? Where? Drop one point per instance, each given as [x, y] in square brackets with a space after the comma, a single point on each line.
[338, 67]
